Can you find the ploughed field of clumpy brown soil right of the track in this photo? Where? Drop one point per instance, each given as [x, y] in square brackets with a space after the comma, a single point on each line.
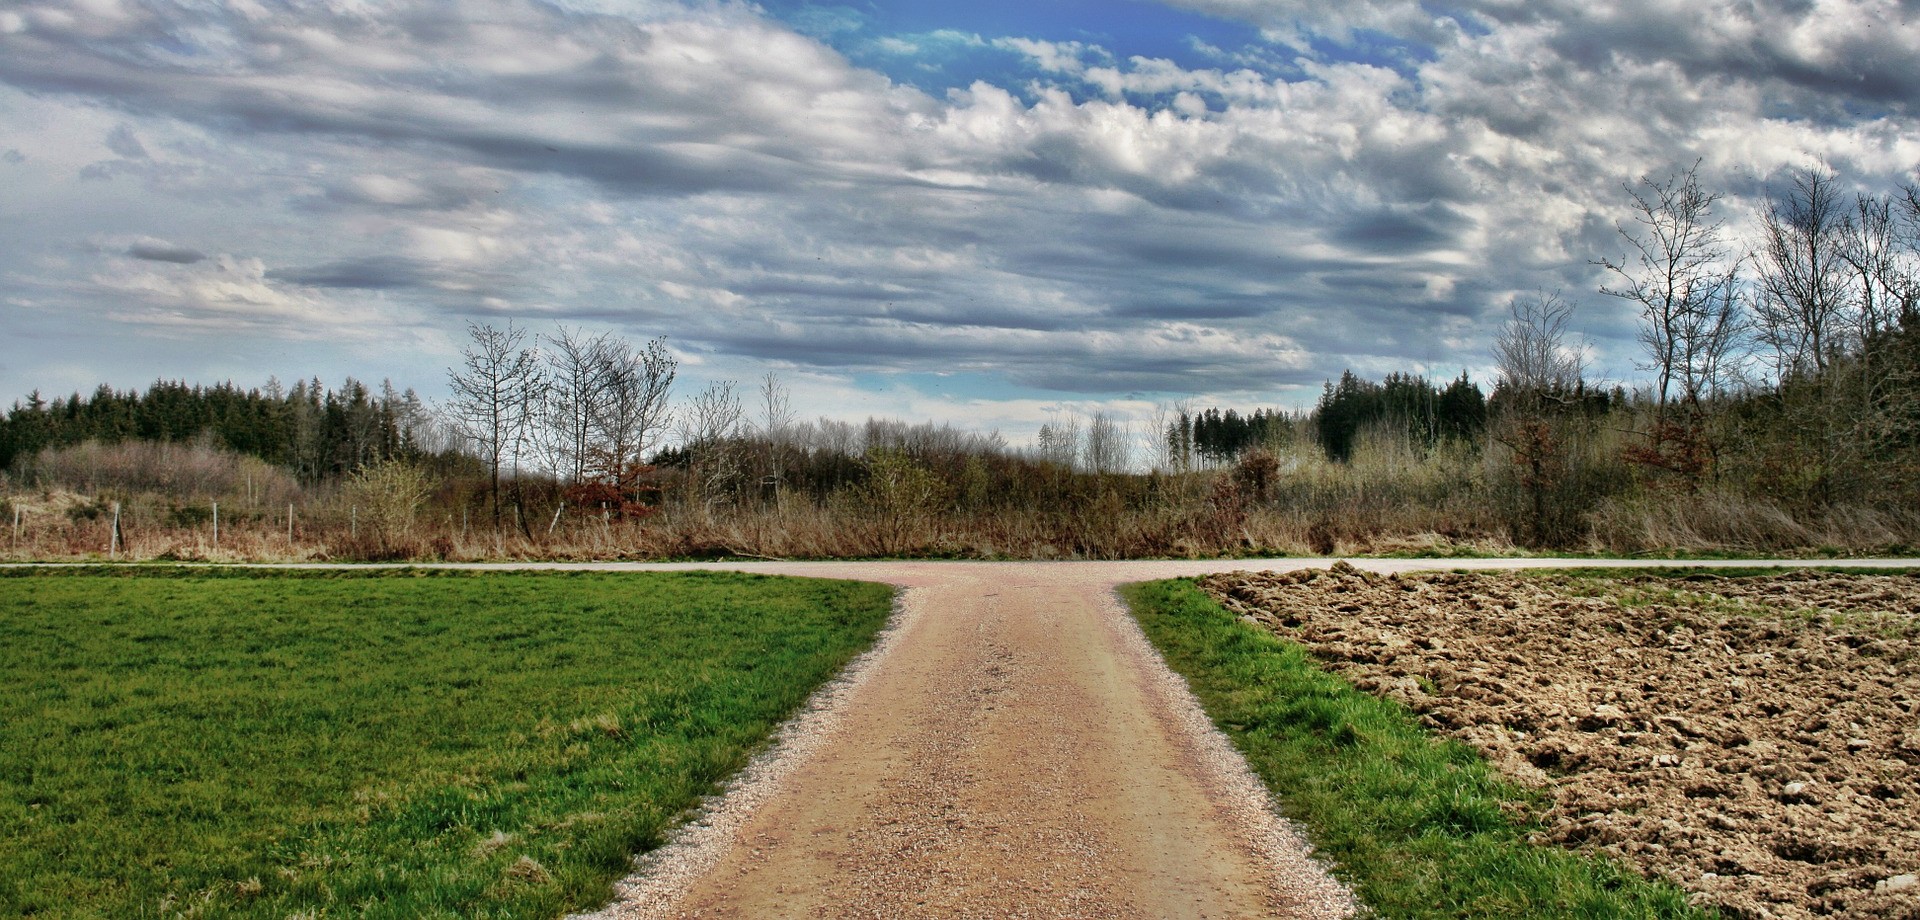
[1756, 740]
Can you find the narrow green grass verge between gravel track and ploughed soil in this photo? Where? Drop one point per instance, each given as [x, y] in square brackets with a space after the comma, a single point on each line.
[1420, 827]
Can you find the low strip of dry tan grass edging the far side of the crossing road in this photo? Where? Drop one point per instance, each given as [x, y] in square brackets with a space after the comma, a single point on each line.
[1627, 525]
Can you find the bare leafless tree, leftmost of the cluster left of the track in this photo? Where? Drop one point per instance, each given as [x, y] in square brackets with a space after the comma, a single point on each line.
[494, 395]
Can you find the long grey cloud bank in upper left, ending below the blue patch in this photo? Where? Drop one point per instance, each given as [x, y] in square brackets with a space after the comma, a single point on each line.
[663, 118]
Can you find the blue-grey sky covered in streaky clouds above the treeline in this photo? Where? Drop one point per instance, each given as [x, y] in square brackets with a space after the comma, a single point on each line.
[978, 212]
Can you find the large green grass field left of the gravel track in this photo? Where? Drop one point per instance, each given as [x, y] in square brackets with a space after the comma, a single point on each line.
[402, 746]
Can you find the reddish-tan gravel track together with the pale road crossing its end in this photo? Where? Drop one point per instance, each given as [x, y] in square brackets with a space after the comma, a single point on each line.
[1013, 748]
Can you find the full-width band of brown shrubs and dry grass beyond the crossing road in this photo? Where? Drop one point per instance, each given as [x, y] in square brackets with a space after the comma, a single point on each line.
[1391, 496]
